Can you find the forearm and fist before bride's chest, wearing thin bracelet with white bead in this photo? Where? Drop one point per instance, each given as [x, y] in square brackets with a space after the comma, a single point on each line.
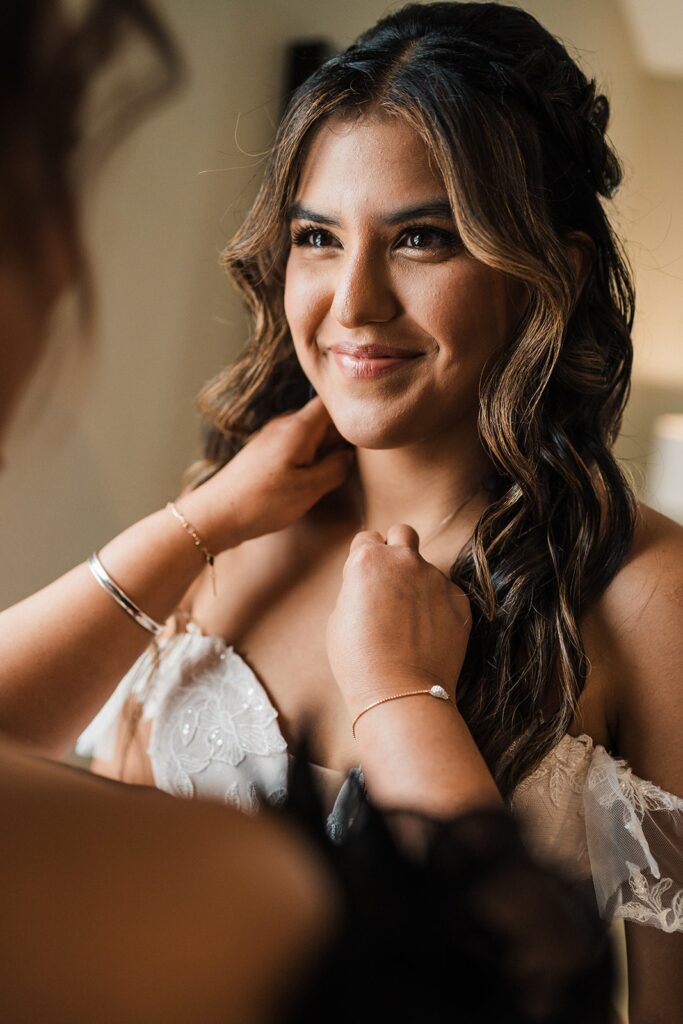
[416, 752]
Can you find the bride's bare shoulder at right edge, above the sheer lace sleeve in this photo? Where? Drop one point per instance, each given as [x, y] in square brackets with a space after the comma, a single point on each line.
[636, 630]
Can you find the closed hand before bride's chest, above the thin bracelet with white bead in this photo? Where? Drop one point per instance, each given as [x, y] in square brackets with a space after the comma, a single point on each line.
[399, 625]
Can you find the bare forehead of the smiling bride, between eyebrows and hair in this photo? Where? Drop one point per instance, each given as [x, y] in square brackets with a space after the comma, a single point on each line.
[373, 161]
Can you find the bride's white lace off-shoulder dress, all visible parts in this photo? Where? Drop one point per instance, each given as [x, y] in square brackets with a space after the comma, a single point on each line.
[216, 735]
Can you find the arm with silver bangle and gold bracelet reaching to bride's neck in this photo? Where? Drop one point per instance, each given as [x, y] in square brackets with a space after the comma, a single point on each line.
[64, 650]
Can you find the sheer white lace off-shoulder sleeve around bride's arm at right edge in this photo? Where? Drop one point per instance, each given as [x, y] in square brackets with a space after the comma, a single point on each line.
[634, 832]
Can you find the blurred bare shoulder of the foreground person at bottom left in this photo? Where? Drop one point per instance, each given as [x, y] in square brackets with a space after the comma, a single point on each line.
[120, 904]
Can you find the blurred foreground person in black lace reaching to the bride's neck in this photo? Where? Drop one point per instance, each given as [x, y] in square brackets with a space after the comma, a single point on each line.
[119, 904]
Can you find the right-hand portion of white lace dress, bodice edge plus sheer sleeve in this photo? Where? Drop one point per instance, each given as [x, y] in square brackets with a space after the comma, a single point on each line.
[586, 810]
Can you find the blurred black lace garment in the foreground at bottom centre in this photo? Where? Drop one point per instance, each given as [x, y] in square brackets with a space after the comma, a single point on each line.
[448, 921]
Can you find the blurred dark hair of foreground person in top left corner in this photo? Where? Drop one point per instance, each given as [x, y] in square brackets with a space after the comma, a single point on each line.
[75, 79]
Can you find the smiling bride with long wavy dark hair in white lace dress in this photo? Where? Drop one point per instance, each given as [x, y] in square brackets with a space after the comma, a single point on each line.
[431, 252]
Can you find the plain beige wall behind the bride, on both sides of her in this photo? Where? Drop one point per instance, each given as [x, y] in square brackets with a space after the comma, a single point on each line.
[111, 445]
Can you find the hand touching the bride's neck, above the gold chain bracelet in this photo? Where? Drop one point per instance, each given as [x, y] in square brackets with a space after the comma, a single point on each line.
[279, 476]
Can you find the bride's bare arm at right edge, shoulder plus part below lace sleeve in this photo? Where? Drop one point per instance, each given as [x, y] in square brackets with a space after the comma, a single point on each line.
[639, 623]
